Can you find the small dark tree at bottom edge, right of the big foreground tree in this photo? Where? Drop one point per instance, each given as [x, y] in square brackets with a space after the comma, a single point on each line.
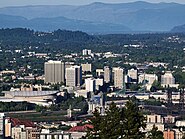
[155, 133]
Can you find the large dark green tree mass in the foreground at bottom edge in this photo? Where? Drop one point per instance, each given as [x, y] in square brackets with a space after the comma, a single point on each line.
[125, 123]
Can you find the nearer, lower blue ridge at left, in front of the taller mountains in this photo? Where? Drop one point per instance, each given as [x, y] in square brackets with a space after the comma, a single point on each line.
[51, 24]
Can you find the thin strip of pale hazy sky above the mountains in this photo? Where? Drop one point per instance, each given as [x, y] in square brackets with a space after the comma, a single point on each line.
[5, 3]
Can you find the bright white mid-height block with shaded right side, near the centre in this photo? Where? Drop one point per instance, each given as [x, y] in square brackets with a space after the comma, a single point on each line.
[90, 84]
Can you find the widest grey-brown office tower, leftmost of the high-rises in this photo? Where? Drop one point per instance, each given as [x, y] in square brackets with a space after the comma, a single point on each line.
[54, 72]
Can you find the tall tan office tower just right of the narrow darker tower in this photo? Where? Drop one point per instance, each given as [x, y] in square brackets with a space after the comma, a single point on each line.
[118, 77]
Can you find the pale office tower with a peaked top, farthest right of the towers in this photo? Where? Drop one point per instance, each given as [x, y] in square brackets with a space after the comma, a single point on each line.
[167, 79]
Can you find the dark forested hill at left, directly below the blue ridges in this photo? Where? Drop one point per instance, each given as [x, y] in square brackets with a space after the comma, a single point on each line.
[27, 36]
